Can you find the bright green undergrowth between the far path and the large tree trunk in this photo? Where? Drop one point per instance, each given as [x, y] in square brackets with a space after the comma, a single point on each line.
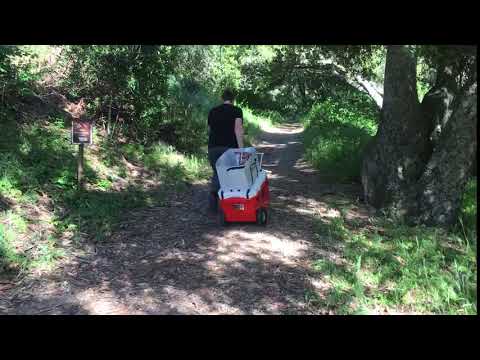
[336, 132]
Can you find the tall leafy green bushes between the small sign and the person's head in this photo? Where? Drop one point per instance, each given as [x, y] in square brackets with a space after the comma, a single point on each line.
[155, 92]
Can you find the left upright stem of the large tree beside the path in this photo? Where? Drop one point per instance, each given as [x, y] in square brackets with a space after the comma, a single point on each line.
[400, 149]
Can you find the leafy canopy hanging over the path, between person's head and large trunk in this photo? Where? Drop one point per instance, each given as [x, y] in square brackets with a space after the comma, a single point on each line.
[290, 79]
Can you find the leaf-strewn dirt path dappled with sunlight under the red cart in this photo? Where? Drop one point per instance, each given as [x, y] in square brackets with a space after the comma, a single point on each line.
[175, 259]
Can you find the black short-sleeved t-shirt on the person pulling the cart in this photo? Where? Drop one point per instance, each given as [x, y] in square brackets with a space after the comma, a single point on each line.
[221, 120]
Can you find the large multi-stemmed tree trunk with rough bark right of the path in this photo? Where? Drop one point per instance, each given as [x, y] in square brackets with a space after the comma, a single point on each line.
[422, 155]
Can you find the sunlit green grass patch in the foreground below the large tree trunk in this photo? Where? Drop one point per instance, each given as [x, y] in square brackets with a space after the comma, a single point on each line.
[401, 269]
